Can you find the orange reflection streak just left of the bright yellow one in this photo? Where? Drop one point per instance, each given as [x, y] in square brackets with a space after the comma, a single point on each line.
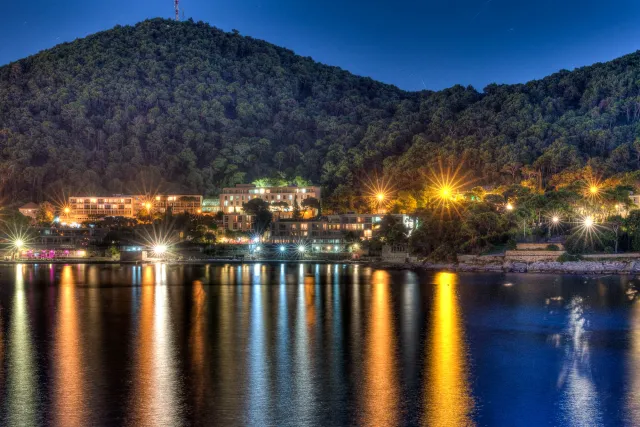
[381, 389]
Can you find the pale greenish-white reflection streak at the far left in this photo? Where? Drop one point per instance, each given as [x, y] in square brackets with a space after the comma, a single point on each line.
[21, 370]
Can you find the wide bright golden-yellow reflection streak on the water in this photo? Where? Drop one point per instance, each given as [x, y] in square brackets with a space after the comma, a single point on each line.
[448, 398]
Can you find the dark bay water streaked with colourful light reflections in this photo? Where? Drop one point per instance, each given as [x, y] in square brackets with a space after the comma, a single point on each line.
[314, 344]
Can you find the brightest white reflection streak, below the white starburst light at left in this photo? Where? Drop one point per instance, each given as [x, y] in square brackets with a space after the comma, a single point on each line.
[164, 383]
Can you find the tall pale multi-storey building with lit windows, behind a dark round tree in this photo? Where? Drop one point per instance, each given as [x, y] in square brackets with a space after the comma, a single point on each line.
[232, 198]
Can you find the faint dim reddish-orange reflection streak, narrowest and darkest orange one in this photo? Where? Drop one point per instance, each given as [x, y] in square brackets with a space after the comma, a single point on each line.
[198, 343]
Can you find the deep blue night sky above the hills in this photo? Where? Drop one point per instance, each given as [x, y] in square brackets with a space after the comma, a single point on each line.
[412, 44]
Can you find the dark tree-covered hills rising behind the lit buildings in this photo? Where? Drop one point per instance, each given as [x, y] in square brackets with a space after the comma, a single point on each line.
[188, 107]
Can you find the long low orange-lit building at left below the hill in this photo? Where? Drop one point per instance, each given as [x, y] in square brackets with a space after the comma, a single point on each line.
[84, 208]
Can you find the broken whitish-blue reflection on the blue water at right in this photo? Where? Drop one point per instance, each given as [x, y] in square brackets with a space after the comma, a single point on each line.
[580, 401]
